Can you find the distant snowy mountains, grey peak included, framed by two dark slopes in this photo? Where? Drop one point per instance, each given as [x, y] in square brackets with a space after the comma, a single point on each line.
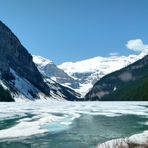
[81, 75]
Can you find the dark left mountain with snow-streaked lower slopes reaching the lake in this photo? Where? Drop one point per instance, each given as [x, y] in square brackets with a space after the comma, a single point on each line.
[19, 75]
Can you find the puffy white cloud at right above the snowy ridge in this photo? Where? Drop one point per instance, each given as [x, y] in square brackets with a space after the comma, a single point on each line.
[137, 45]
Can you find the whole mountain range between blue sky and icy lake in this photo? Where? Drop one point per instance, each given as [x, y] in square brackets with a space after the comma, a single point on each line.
[24, 77]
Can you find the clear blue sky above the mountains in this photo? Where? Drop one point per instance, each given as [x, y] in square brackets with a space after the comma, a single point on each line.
[71, 30]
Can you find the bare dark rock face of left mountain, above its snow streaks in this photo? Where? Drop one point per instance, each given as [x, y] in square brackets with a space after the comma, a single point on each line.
[14, 55]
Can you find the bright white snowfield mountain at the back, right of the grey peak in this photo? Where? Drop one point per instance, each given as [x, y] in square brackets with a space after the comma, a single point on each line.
[88, 72]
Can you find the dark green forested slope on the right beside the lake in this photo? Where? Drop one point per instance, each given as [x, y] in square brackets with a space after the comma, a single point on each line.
[127, 84]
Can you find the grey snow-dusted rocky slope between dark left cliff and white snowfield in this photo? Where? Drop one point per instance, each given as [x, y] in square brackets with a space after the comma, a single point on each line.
[52, 75]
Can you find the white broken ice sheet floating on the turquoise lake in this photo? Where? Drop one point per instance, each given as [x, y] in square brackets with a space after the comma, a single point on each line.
[40, 117]
